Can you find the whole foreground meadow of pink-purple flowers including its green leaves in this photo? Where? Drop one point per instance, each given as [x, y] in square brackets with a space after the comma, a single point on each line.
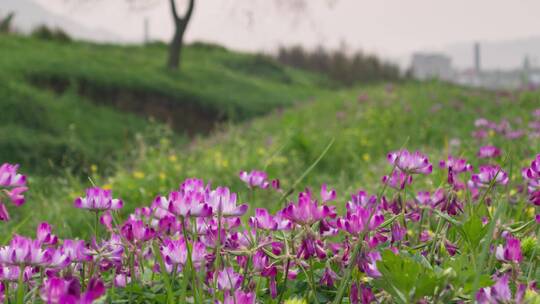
[435, 231]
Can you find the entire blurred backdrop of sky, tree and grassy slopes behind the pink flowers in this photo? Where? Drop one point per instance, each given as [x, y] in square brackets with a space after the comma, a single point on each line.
[137, 94]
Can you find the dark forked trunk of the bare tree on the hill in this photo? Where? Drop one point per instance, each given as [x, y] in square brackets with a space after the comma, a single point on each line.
[180, 24]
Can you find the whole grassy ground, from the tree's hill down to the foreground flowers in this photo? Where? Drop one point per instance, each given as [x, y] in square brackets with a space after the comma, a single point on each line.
[439, 250]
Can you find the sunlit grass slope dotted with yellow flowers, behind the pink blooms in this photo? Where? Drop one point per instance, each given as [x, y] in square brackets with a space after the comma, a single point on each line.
[426, 116]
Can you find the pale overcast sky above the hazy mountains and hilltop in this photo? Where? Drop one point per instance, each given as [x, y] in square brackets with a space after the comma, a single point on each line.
[389, 27]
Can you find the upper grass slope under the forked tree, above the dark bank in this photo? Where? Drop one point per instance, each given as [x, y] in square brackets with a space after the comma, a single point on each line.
[219, 80]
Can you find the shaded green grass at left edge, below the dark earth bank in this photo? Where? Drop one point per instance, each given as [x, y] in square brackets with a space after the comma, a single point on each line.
[47, 133]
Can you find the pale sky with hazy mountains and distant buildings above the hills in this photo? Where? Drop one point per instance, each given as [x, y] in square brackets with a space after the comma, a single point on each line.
[479, 43]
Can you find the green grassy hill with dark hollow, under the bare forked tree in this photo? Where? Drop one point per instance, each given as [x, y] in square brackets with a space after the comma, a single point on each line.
[75, 104]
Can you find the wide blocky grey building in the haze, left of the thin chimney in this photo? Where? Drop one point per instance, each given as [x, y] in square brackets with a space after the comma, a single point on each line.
[431, 66]
